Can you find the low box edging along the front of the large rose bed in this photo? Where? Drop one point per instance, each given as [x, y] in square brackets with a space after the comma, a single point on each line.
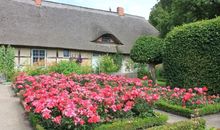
[124, 124]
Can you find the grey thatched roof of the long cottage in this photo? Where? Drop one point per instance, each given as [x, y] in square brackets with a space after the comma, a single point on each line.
[65, 26]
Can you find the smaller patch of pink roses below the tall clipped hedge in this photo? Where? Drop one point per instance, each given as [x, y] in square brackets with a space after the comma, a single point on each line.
[190, 98]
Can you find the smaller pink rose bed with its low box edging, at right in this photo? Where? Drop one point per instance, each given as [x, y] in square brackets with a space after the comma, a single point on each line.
[190, 103]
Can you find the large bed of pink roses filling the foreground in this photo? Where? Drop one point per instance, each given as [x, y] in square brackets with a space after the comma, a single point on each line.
[84, 101]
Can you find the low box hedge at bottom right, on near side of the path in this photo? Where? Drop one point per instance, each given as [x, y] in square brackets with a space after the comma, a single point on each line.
[193, 124]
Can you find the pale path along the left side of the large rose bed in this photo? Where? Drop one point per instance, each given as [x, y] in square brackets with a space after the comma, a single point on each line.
[12, 116]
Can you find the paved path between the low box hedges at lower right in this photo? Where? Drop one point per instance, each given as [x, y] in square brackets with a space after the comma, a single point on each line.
[211, 120]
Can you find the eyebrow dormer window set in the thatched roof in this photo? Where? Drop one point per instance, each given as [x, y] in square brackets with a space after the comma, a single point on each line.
[107, 39]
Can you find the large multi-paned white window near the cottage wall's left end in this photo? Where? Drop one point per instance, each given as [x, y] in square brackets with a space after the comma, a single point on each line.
[38, 55]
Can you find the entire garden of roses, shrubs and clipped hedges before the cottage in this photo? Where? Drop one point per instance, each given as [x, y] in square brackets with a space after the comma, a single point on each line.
[182, 78]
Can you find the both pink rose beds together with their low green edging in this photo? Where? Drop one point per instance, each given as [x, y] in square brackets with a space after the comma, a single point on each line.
[92, 101]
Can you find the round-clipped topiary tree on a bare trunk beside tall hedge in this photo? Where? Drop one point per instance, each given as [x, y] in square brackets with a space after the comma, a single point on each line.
[148, 49]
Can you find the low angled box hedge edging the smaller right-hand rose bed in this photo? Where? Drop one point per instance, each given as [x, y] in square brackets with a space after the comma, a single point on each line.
[190, 113]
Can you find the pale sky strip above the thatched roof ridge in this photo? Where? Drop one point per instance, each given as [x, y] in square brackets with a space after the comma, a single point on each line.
[134, 7]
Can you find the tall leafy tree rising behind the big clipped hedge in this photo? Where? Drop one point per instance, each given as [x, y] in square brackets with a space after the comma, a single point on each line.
[167, 14]
